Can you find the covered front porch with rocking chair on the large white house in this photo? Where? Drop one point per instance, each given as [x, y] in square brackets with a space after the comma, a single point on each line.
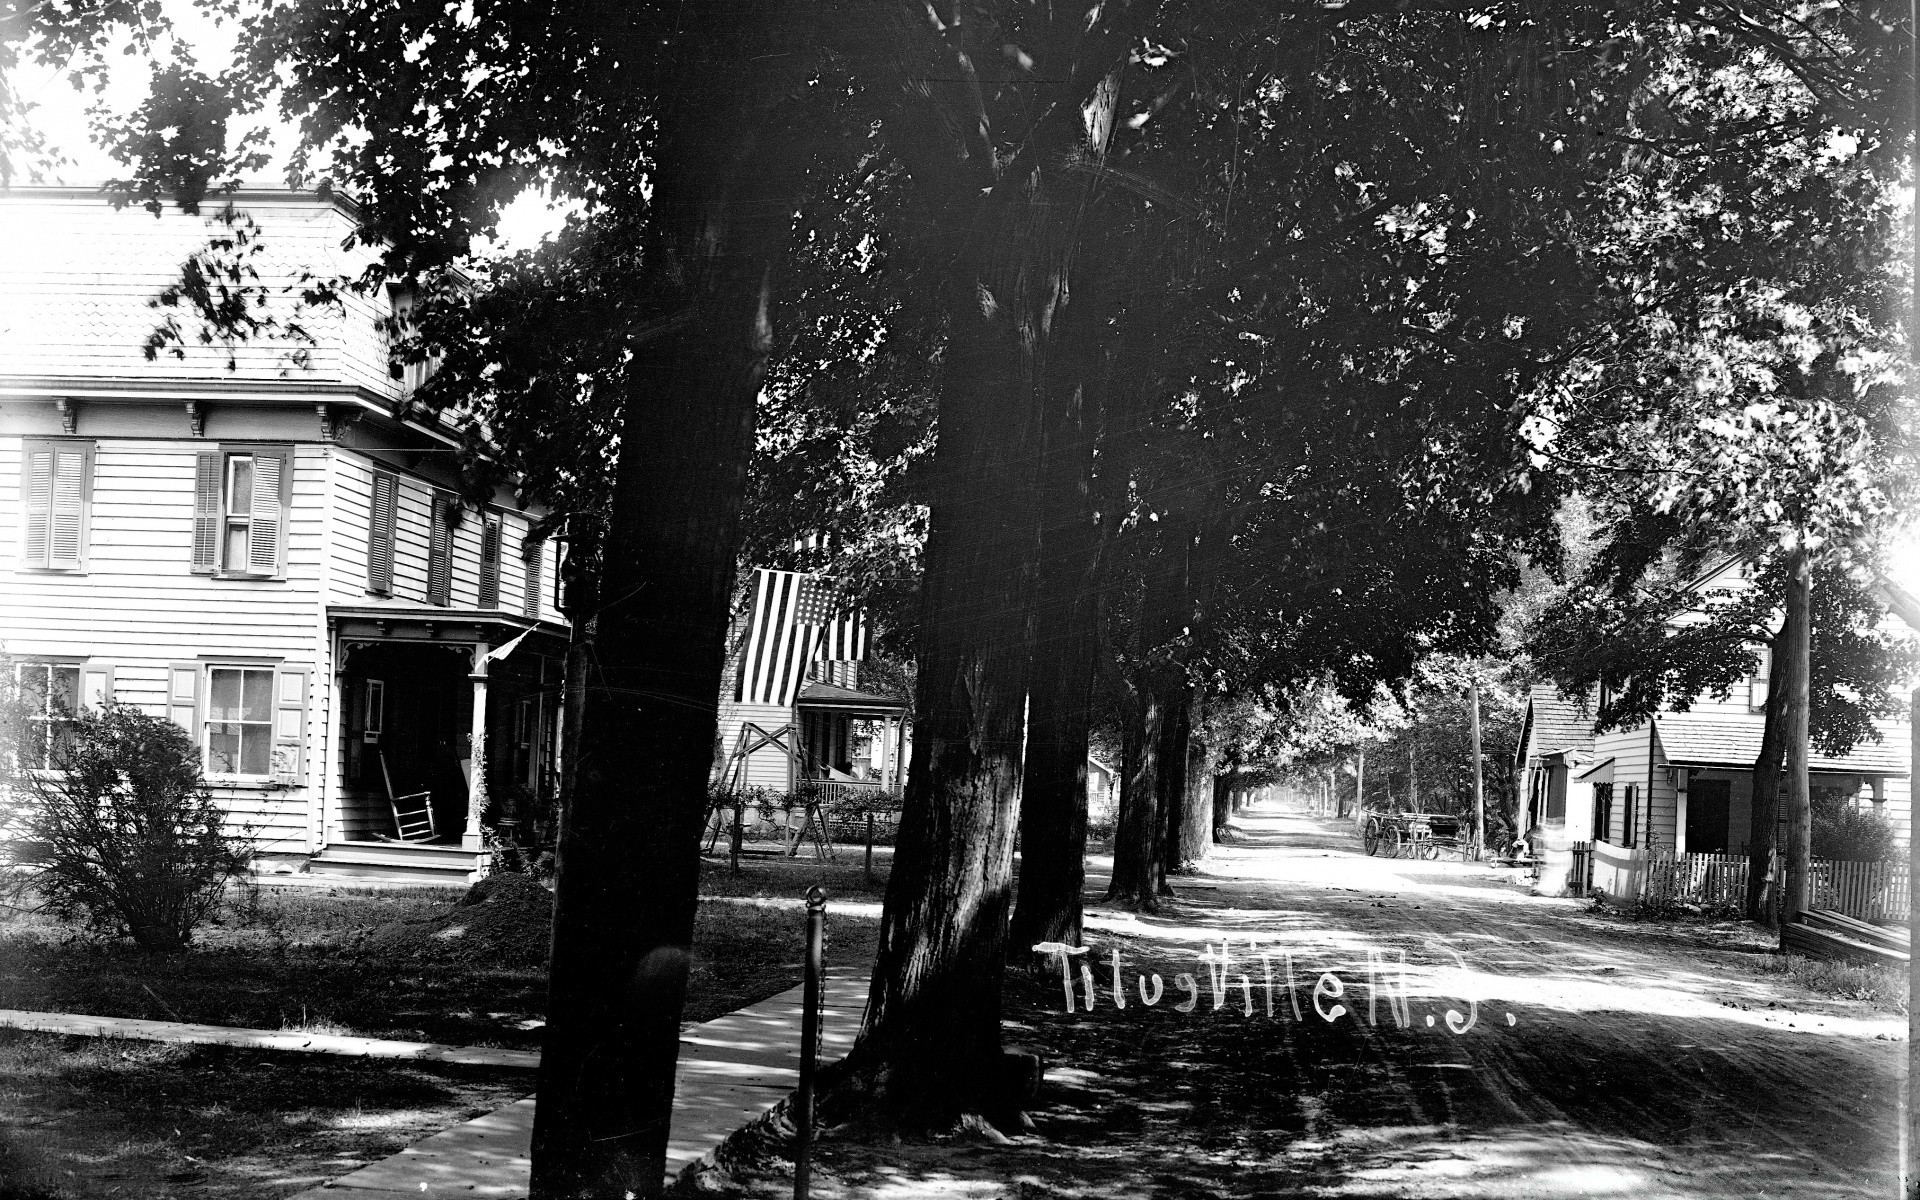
[444, 742]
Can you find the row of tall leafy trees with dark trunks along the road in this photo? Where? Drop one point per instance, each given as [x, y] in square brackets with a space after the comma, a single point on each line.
[1218, 352]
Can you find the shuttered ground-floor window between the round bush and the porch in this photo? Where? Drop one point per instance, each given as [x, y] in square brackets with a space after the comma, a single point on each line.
[247, 719]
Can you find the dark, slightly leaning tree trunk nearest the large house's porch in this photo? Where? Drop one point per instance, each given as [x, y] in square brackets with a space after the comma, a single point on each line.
[629, 846]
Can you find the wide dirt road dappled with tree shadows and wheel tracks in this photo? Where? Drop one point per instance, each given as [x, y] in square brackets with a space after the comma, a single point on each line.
[1593, 1057]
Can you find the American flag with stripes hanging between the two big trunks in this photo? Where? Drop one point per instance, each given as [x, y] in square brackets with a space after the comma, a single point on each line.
[794, 621]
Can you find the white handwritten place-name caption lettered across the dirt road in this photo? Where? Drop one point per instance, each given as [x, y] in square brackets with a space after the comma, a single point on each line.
[1387, 986]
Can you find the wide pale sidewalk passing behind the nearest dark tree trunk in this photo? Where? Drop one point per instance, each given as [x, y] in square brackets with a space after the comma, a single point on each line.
[732, 1070]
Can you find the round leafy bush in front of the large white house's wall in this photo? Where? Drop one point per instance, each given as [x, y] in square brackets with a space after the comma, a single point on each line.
[128, 838]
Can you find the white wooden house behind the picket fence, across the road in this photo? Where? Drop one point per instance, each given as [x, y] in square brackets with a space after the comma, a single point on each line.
[1681, 782]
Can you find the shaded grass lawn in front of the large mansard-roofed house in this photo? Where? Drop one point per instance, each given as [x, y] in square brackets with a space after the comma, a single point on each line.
[85, 1118]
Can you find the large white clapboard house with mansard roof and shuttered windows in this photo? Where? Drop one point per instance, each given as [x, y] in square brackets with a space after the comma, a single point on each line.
[274, 552]
